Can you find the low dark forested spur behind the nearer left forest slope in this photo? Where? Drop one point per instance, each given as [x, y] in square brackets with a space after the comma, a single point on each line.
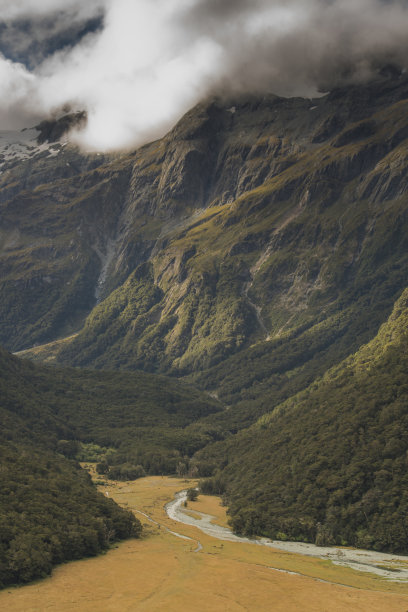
[138, 418]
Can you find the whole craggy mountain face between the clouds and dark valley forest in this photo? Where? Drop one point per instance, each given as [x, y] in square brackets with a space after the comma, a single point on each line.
[262, 221]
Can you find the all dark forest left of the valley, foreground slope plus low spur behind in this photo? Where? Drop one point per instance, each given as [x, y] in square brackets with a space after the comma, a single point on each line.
[50, 511]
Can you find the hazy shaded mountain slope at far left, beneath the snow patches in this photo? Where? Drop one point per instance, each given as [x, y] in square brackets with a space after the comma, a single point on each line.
[56, 212]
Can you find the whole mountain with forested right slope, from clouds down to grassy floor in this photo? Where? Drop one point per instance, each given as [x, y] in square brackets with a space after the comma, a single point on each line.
[253, 253]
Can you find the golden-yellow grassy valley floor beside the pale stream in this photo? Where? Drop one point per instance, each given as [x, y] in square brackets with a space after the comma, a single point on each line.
[163, 572]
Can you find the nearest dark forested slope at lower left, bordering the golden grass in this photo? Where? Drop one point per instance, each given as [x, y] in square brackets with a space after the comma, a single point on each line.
[50, 512]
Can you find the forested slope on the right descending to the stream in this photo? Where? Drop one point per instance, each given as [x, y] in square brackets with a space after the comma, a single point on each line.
[329, 464]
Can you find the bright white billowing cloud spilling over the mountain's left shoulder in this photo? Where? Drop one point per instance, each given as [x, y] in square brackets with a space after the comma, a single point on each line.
[134, 77]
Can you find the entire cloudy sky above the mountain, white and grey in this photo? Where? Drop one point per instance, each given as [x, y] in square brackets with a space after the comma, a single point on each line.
[136, 66]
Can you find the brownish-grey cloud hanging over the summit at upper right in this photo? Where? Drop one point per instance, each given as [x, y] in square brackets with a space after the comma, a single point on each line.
[300, 46]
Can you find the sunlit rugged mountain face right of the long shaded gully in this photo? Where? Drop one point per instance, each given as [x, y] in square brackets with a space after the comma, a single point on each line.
[296, 221]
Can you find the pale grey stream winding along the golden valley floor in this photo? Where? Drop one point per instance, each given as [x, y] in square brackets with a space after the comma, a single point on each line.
[392, 567]
